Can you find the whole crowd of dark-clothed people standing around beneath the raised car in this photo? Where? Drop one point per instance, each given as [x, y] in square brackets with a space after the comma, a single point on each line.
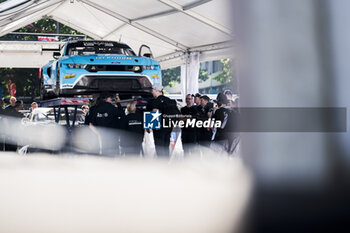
[106, 112]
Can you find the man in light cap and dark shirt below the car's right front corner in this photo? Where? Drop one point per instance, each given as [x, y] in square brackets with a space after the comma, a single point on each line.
[162, 135]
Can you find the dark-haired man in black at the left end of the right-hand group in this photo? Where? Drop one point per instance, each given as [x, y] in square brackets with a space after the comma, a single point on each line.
[188, 135]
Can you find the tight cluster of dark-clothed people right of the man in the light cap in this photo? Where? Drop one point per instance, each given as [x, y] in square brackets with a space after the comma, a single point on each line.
[224, 109]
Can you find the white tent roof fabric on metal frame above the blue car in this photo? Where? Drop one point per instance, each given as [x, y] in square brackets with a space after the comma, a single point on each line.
[170, 27]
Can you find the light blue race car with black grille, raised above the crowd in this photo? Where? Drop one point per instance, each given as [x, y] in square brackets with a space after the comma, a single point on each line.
[86, 67]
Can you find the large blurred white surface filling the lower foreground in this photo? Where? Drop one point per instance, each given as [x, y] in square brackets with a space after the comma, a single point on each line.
[42, 193]
